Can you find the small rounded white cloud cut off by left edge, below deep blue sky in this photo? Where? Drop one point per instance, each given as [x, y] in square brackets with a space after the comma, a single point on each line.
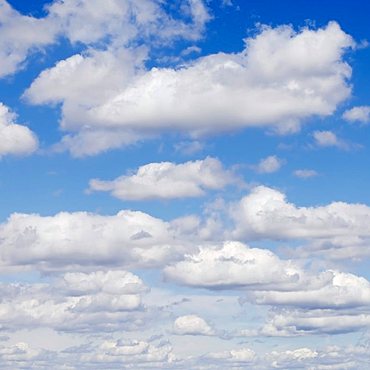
[15, 139]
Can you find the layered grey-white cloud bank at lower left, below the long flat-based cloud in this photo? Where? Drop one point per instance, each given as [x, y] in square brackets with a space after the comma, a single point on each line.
[77, 302]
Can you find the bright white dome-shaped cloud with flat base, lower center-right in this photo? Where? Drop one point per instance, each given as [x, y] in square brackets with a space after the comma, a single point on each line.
[234, 266]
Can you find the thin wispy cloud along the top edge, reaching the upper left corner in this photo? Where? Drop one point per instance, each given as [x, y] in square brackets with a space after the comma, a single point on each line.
[88, 22]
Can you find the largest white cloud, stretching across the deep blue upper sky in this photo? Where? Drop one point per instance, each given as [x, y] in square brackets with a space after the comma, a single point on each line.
[281, 78]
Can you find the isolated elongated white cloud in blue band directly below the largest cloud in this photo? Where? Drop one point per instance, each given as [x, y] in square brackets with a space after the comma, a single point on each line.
[168, 180]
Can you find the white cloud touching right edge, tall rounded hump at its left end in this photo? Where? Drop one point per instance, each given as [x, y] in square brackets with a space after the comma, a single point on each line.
[266, 214]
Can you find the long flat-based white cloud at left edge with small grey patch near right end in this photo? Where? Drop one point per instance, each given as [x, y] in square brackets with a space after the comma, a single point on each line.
[69, 240]
